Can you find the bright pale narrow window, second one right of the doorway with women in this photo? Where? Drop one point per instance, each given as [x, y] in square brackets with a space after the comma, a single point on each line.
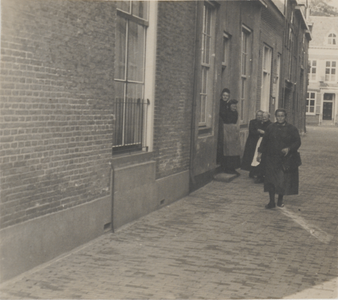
[266, 78]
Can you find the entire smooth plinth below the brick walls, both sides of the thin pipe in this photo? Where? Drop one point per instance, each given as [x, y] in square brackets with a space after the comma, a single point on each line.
[136, 194]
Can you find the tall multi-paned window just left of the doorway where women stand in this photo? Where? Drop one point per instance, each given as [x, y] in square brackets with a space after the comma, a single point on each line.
[207, 65]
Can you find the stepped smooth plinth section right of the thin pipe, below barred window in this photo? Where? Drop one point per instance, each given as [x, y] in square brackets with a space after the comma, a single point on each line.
[137, 192]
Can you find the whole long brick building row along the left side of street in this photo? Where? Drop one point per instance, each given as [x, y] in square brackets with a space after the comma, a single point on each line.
[109, 110]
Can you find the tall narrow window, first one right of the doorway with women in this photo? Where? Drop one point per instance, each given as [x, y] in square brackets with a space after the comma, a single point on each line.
[245, 70]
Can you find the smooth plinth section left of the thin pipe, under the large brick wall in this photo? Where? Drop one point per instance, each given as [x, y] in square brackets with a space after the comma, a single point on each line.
[29, 244]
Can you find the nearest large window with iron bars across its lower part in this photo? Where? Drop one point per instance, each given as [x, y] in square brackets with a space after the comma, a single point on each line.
[130, 105]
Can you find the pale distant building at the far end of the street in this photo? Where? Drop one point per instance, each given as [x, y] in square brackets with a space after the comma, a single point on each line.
[322, 96]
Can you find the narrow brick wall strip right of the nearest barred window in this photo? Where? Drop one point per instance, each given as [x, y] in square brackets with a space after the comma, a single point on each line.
[174, 85]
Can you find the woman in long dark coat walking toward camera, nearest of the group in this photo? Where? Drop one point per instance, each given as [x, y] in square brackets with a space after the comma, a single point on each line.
[280, 139]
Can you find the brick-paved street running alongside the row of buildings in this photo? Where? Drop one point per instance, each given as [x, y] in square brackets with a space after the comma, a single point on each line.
[217, 243]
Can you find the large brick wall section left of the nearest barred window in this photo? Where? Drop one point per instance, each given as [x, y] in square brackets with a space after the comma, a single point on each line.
[56, 91]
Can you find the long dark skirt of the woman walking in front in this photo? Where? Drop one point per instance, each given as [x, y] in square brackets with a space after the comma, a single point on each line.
[285, 183]
